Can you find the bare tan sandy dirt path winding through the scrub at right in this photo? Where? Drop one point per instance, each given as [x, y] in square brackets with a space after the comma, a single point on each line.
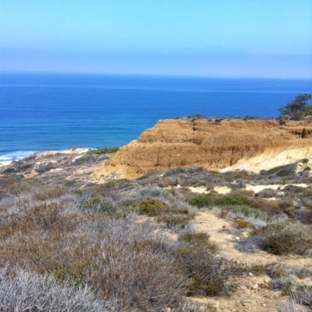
[250, 295]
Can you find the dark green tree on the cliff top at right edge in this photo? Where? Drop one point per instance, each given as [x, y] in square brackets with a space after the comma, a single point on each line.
[298, 108]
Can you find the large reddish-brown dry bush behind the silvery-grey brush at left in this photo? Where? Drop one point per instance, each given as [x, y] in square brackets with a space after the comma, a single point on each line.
[116, 259]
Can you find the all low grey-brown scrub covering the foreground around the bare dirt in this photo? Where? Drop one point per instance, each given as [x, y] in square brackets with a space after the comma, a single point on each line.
[130, 245]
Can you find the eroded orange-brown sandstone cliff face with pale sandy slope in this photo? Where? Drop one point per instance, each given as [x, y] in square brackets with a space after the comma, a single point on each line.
[214, 145]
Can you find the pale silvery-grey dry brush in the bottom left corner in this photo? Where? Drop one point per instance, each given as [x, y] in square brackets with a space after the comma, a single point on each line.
[33, 292]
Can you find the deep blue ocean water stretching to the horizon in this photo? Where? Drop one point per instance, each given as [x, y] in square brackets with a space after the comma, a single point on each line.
[41, 112]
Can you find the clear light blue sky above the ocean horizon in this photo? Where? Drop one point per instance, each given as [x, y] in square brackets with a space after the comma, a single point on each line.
[210, 38]
